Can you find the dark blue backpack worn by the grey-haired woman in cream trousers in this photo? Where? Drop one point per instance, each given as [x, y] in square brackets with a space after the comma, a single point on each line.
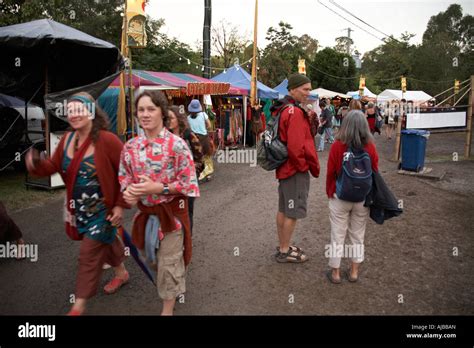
[354, 182]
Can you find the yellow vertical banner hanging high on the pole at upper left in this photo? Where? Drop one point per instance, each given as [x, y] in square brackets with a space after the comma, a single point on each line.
[136, 23]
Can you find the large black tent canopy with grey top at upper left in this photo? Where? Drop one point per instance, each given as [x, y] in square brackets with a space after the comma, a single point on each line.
[44, 56]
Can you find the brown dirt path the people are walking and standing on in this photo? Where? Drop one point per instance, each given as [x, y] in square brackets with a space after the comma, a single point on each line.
[411, 256]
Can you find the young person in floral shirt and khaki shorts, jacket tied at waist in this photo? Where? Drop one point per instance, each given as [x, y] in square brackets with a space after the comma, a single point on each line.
[157, 173]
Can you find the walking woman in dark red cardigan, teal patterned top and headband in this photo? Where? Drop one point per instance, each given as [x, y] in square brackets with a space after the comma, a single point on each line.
[87, 158]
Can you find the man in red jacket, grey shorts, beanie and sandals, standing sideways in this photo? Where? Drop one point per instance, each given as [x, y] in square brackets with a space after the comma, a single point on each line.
[293, 176]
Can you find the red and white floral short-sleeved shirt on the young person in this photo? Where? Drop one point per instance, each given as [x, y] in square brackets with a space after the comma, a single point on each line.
[166, 159]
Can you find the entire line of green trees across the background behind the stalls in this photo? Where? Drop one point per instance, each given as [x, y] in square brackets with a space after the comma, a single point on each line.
[445, 53]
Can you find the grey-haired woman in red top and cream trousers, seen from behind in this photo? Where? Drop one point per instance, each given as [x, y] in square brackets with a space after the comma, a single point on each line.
[348, 217]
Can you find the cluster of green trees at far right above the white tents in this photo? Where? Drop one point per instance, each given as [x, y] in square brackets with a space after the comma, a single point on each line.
[445, 54]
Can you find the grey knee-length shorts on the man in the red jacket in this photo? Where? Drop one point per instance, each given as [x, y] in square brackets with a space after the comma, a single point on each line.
[293, 195]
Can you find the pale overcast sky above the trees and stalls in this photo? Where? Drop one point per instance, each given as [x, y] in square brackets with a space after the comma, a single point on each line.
[184, 18]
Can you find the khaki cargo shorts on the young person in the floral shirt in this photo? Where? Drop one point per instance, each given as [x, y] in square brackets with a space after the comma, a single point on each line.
[171, 271]
